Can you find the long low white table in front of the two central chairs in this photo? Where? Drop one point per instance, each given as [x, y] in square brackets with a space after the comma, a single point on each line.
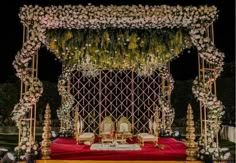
[115, 147]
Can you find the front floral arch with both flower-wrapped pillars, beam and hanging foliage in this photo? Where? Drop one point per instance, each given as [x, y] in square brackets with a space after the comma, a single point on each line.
[192, 26]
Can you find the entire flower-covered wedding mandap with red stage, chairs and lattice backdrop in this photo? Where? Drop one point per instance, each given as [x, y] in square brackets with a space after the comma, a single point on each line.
[116, 84]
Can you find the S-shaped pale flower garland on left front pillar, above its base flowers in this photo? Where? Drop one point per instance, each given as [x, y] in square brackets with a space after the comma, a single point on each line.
[21, 62]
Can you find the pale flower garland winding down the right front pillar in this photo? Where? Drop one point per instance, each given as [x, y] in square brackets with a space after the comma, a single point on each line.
[202, 91]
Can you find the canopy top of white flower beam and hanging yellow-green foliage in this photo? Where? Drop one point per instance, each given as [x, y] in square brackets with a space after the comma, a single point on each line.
[118, 37]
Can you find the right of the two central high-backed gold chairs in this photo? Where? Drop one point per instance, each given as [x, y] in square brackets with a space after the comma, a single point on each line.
[123, 128]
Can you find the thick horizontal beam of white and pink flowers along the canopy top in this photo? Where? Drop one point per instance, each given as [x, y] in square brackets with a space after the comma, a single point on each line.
[112, 16]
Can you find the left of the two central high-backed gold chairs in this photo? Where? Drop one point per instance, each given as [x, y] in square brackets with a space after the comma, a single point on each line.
[106, 129]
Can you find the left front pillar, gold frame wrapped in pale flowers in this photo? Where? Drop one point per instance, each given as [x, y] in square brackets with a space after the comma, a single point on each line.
[24, 113]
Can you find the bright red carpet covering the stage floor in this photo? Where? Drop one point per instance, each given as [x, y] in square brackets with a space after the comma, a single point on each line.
[67, 149]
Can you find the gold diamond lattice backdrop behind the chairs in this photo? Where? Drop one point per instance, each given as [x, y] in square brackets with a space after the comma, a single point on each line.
[116, 94]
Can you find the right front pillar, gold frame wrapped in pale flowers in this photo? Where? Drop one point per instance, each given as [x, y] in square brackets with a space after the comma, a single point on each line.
[210, 66]
